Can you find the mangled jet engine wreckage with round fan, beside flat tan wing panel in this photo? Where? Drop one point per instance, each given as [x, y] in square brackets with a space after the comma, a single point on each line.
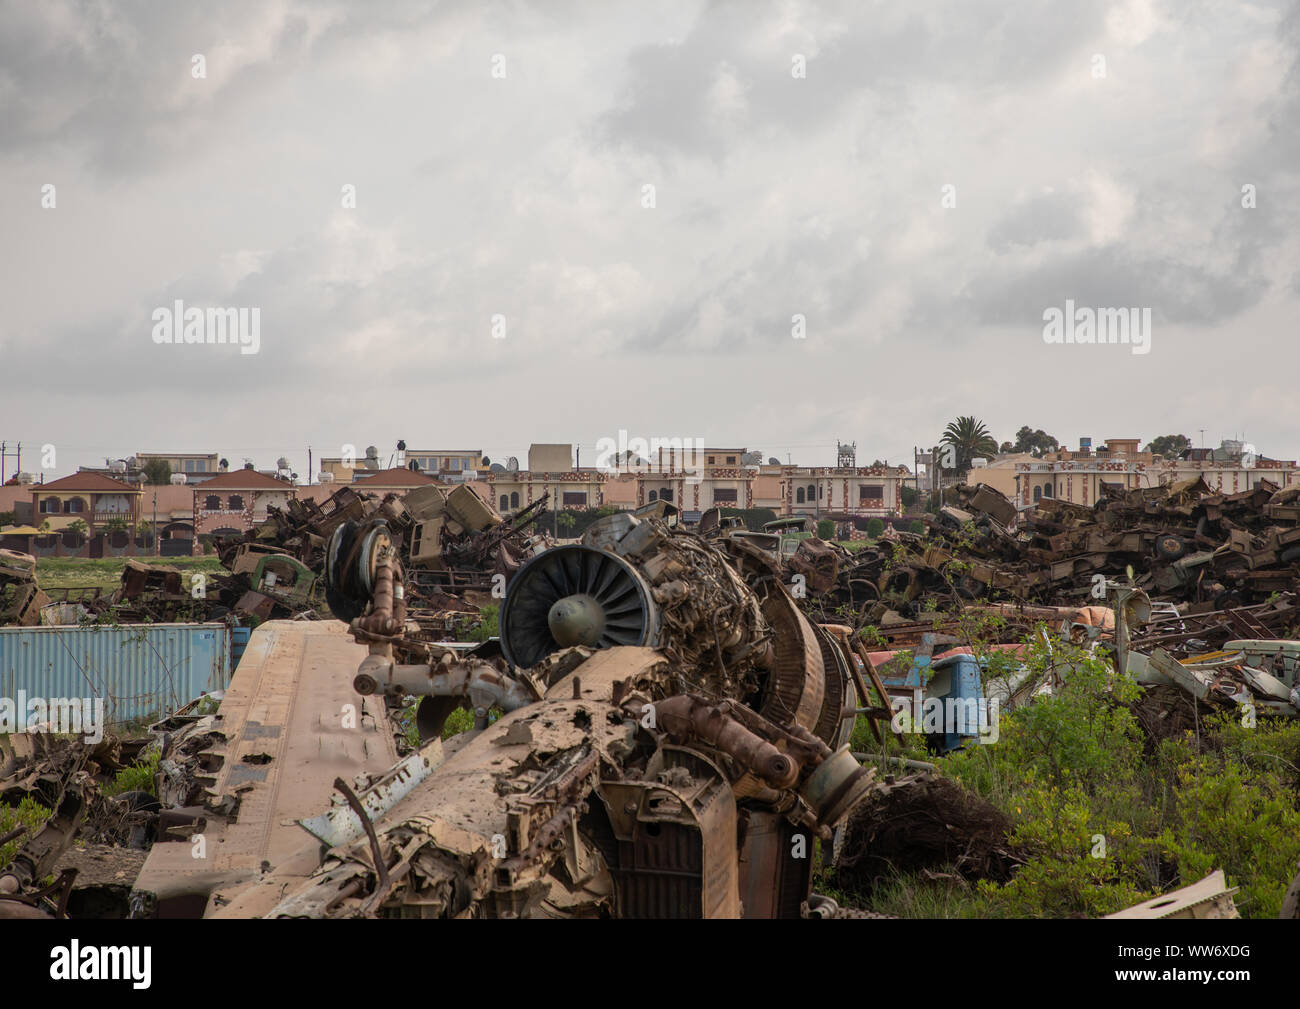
[671, 742]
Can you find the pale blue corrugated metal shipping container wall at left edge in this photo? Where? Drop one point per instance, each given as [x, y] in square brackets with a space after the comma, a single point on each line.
[142, 672]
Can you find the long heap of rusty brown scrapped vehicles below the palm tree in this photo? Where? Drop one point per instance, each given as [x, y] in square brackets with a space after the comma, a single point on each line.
[1236, 556]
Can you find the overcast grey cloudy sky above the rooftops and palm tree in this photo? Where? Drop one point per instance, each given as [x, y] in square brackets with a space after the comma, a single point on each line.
[1098, 153]
